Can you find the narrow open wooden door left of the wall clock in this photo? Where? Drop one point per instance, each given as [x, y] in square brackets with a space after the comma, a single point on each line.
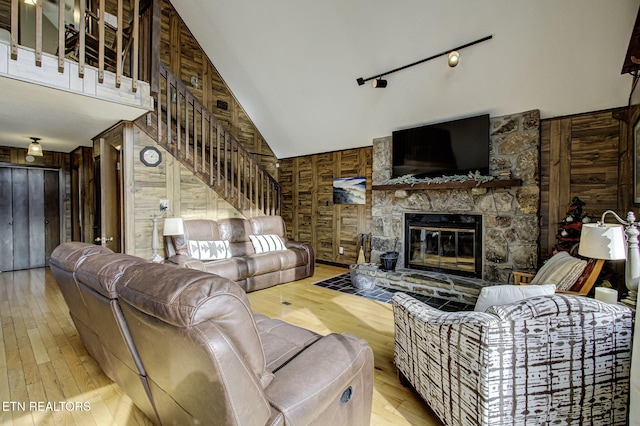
[110, 196]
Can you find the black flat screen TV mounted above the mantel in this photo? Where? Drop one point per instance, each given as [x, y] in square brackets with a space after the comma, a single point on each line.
[443, 149]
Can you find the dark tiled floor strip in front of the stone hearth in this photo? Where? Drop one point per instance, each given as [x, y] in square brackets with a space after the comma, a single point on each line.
[342, 283]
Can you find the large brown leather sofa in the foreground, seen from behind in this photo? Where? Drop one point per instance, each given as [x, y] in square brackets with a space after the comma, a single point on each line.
[187, 341]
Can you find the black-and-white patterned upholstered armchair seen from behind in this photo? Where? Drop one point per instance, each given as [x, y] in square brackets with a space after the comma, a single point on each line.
[555, 359]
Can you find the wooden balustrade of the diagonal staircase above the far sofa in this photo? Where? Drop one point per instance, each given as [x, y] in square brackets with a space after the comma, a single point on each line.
[188, 131]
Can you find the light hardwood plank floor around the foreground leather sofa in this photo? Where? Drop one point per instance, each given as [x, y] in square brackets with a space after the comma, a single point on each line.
[47, 377]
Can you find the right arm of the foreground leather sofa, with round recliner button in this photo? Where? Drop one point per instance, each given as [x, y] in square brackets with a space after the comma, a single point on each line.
[331, 380]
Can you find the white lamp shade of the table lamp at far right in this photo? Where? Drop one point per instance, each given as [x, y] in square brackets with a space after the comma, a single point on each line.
[603, 241]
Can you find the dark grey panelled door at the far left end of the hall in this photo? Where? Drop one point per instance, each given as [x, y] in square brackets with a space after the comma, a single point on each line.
[29, 217]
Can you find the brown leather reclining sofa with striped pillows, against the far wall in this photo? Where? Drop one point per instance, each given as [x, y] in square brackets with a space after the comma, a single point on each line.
[251, 270]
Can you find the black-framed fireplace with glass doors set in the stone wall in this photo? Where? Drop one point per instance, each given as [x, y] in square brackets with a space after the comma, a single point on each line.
[443, 242]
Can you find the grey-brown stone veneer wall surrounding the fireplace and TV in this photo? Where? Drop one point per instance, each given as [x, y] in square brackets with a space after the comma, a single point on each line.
[510, 215]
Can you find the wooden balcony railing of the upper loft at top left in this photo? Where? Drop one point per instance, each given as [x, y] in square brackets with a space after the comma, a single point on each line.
[103, 34]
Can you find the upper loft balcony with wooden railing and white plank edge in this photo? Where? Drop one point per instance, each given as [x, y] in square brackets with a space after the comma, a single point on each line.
[83, 47]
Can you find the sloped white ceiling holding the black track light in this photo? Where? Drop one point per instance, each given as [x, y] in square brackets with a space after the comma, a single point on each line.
[293, 64]
